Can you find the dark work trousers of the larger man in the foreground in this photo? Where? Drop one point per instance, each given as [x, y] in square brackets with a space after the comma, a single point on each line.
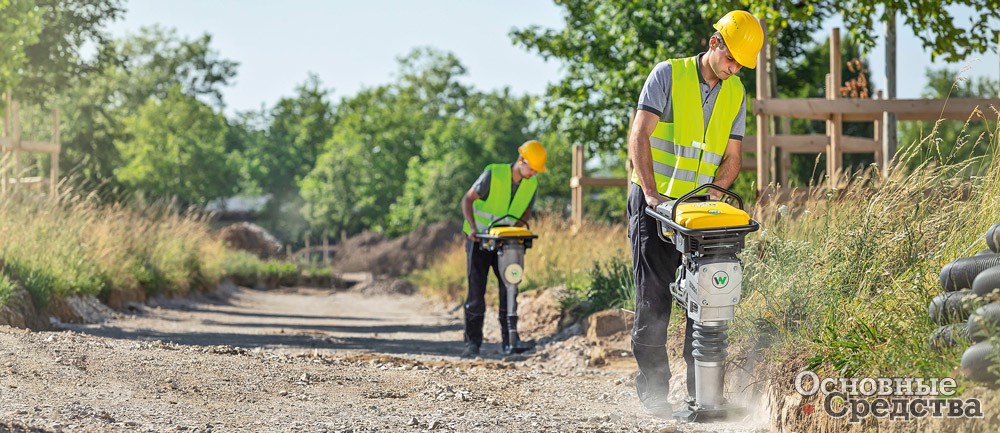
[654, 263]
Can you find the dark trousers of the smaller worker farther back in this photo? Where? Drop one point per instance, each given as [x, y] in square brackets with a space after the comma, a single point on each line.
[479, 263]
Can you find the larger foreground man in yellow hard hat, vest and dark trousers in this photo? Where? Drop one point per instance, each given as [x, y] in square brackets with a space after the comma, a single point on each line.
[686, 132]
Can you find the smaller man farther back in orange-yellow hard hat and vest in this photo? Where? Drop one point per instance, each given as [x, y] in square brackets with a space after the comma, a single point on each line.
[502, 189]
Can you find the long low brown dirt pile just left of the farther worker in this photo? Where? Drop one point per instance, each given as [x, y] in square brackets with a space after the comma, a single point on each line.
[372, 252]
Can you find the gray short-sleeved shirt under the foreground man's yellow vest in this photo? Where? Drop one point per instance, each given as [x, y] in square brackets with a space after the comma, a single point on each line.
[655, 98]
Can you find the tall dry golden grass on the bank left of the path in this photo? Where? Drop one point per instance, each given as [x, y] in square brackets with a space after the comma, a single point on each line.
[77, 246]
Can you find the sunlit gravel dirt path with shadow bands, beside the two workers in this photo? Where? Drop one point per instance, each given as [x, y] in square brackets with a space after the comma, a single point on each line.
[304, 360]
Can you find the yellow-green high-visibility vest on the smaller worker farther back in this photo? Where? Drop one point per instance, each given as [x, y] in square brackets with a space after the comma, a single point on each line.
[498, 203]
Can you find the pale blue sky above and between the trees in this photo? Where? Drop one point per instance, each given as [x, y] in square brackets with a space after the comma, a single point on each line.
[354, 44]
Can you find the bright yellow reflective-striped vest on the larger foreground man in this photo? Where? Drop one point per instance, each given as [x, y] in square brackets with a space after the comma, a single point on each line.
[685, 154]
